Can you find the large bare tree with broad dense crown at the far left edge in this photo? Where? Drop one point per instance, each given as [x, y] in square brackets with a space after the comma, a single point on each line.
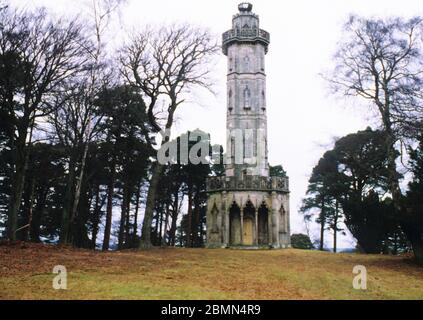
[45, 53]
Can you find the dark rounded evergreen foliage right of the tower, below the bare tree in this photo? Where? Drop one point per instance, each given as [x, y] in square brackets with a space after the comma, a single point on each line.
[350, 184]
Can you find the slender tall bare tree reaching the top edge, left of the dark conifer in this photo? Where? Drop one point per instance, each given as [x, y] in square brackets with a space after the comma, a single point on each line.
[76, 121]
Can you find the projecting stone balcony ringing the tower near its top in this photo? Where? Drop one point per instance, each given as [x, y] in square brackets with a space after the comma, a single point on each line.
[246, 35]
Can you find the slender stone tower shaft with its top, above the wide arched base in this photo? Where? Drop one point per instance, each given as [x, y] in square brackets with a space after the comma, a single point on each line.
[246, 45]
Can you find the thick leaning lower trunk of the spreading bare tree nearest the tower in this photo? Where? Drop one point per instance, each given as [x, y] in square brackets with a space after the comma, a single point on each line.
[145, 242]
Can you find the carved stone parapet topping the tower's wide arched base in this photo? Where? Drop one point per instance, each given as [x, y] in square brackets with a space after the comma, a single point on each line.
[248, 183]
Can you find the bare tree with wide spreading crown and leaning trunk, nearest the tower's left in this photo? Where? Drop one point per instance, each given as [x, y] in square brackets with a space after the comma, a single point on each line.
[164, 65]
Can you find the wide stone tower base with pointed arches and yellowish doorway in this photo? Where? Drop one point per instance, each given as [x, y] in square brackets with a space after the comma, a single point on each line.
[251, 213]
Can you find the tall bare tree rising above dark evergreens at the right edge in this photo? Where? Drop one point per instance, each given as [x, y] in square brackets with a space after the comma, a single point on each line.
[382, 62]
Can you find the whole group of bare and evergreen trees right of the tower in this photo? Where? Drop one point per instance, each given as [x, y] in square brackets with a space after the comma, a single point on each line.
[361, 180]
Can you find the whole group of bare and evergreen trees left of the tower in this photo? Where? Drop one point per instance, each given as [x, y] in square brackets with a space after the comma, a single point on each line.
[80, 126]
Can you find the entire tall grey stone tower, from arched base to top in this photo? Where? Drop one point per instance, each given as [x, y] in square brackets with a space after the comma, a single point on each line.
[247, 206]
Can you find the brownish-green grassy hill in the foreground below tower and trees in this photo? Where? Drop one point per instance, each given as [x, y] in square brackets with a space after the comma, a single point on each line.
[26, 273]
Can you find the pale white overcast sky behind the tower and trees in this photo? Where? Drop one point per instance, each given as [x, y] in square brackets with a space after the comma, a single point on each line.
[303, 118]
